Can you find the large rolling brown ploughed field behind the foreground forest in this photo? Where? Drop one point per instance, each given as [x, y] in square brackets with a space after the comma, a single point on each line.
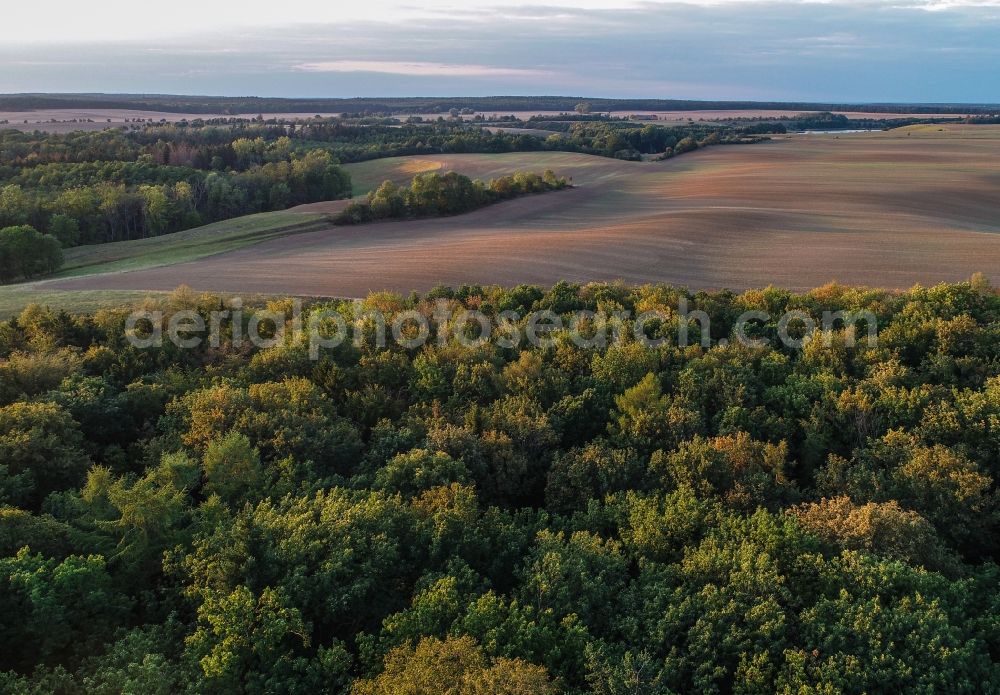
[891, 209]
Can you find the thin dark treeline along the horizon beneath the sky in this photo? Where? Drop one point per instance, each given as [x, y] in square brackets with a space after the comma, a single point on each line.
[252, 105]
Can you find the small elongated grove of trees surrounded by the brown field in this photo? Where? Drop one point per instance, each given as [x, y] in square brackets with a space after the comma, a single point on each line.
[445, 194]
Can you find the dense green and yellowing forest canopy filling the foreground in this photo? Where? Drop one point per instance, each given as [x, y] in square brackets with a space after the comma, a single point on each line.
[478, 517]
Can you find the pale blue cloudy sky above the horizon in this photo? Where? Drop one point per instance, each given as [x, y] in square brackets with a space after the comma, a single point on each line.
[931, 51]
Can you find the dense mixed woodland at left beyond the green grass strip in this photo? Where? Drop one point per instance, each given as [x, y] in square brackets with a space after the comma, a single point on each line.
[86, 188]
